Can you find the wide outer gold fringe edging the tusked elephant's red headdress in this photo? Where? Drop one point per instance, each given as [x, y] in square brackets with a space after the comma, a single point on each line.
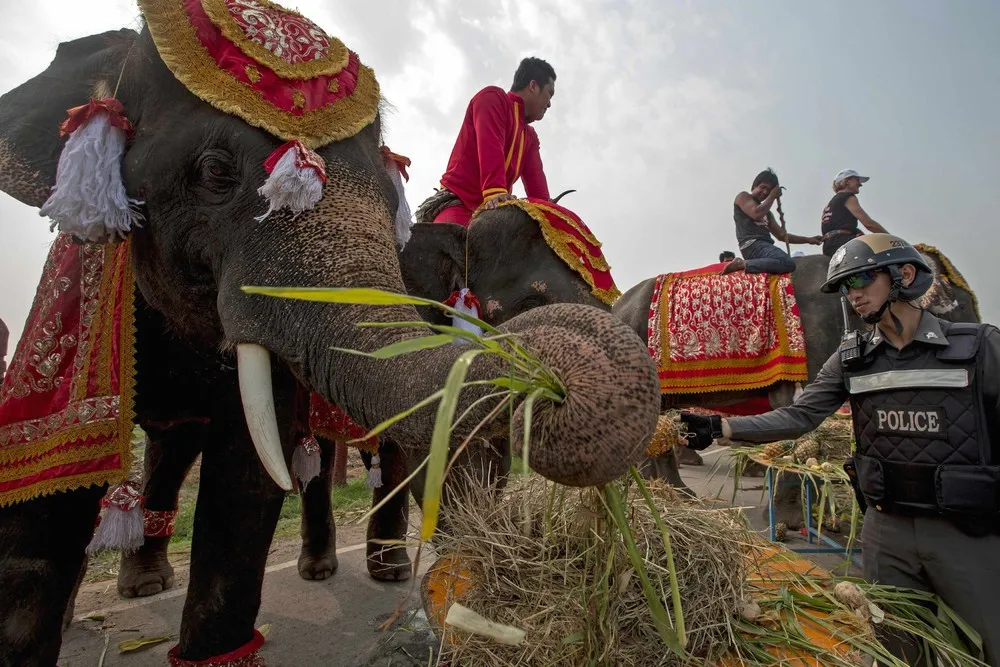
[187, 59]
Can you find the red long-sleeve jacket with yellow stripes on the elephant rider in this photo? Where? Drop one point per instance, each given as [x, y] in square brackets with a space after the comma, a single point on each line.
[494, 148]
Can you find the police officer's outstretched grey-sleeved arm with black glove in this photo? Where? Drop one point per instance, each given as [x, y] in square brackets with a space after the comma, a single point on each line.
[819, 400]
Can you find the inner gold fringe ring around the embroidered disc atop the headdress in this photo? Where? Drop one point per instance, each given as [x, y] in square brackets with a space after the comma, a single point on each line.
[336, 58]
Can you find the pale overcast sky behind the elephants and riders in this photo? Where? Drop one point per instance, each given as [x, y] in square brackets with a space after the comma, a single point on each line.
[663, 112]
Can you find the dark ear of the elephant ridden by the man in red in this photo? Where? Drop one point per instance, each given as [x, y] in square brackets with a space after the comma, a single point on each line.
[433, 262]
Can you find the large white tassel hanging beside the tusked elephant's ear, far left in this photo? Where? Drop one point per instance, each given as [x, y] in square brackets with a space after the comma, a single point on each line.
[89, 199]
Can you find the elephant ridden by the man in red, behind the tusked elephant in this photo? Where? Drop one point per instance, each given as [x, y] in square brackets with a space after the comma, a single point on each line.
[433, 264]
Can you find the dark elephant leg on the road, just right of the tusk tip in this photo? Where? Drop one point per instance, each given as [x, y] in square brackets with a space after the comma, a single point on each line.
[318, 557]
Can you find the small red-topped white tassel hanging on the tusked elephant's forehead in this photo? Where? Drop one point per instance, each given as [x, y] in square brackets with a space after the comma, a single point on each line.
[295, 180]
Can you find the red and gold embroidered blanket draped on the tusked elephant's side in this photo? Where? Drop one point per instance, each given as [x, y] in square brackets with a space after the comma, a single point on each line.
[66, 404]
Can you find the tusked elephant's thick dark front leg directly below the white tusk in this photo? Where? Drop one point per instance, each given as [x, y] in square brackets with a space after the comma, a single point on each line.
[237, 511]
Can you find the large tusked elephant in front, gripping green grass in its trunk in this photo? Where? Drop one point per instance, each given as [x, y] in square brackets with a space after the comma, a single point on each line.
[200, 338]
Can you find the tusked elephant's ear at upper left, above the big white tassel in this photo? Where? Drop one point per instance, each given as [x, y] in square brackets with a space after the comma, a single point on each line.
[30, 115]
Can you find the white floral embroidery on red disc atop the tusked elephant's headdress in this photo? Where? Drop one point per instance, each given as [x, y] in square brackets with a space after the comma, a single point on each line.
[294, 39]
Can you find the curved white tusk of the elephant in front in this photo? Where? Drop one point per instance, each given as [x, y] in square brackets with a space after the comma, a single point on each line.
[254, 364]
